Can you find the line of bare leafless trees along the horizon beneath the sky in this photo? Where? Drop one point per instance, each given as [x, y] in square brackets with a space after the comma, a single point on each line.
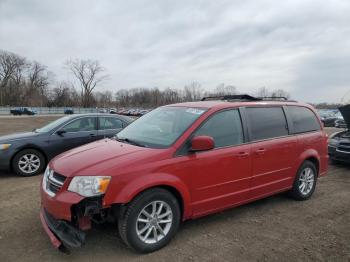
[29, 83]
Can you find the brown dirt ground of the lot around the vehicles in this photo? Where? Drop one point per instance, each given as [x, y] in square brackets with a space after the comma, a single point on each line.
[273, 229]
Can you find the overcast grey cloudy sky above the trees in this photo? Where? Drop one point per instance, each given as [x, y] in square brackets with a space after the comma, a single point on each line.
[300, 46]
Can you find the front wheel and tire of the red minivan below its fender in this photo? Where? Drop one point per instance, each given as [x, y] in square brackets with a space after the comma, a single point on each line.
[150, 221]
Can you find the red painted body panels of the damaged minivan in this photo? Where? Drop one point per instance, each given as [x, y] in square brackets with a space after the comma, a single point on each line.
[207, 181]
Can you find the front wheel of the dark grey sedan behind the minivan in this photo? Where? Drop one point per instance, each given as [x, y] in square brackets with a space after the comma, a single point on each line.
[28, 162]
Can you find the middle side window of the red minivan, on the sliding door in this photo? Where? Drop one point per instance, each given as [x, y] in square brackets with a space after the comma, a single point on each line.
[266, 122]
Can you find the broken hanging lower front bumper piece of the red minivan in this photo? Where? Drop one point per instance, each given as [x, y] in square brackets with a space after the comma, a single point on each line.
[61, 233]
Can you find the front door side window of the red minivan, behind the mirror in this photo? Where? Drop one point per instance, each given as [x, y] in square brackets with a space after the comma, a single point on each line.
[224, 127]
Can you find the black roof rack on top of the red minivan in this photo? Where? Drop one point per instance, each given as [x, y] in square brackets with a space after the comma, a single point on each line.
[245, 98]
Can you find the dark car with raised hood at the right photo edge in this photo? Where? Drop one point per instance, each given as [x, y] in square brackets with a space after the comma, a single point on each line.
[339, 143]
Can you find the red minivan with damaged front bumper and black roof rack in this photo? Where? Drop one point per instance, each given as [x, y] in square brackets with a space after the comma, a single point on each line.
[181, 162]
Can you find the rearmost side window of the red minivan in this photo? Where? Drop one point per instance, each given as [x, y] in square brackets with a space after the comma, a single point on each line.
[303, 119]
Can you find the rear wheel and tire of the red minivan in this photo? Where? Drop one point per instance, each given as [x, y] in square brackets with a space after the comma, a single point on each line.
[305, 182]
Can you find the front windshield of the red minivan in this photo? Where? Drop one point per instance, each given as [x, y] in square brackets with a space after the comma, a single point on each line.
[161, 127]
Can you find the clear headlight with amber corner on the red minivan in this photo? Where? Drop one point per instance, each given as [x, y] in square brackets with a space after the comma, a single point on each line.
[89, 185]
